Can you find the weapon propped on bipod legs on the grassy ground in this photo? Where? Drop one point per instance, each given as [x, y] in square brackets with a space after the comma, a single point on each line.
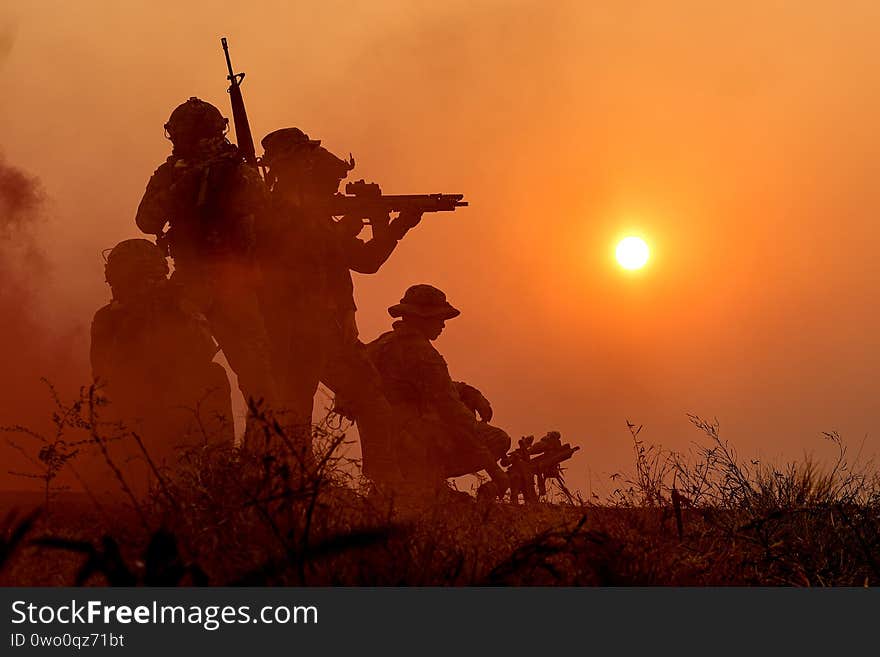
[532, 464]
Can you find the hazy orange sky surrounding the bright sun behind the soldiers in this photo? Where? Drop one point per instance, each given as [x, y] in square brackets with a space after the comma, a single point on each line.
[739, 140]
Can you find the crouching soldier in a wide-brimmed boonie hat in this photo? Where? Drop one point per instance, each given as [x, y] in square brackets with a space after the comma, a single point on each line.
[440, 412]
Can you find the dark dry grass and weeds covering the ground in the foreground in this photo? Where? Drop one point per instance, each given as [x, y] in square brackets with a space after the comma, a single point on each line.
[274, 516]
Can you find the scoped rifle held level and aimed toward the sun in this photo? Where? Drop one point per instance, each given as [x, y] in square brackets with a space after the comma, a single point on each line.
[365, 201]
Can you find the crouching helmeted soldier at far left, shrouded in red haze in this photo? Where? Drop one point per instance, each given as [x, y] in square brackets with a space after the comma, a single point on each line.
[152, 355]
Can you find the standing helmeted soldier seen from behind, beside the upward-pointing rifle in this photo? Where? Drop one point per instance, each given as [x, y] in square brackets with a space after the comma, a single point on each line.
[210, 197]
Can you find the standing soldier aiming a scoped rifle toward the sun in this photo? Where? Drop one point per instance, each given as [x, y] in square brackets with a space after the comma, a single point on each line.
[309, 295]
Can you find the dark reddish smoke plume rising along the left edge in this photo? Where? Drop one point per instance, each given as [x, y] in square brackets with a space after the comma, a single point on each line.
[33, 343]
